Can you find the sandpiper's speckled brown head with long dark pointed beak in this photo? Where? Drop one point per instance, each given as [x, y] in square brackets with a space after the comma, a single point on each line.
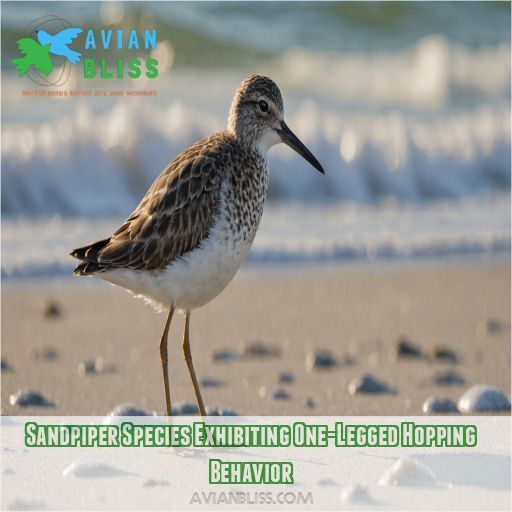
[257, 118]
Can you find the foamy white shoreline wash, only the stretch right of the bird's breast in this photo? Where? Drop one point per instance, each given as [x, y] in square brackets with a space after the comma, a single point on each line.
[354, 232]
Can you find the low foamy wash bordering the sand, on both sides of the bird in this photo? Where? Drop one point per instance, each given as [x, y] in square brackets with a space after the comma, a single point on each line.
[296, 233]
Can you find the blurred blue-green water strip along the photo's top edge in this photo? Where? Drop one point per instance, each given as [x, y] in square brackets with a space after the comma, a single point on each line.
[273, 27]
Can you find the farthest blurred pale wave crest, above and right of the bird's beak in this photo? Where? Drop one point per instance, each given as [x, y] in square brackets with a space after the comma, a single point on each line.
[429, 74]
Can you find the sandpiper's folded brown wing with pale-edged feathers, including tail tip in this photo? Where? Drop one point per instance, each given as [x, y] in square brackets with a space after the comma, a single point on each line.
[173, 218]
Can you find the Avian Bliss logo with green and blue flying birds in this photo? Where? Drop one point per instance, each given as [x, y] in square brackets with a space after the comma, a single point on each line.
[51, 45]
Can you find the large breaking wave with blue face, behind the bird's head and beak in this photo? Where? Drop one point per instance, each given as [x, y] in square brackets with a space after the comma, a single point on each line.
[97, 164]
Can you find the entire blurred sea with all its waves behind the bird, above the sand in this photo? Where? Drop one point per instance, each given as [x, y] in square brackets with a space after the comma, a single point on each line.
[407, 106]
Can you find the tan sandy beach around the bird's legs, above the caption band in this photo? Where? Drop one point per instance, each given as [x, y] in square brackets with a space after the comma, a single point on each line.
[459, 312]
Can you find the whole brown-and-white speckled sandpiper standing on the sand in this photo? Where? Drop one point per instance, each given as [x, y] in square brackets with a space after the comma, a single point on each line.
[192, 230]
